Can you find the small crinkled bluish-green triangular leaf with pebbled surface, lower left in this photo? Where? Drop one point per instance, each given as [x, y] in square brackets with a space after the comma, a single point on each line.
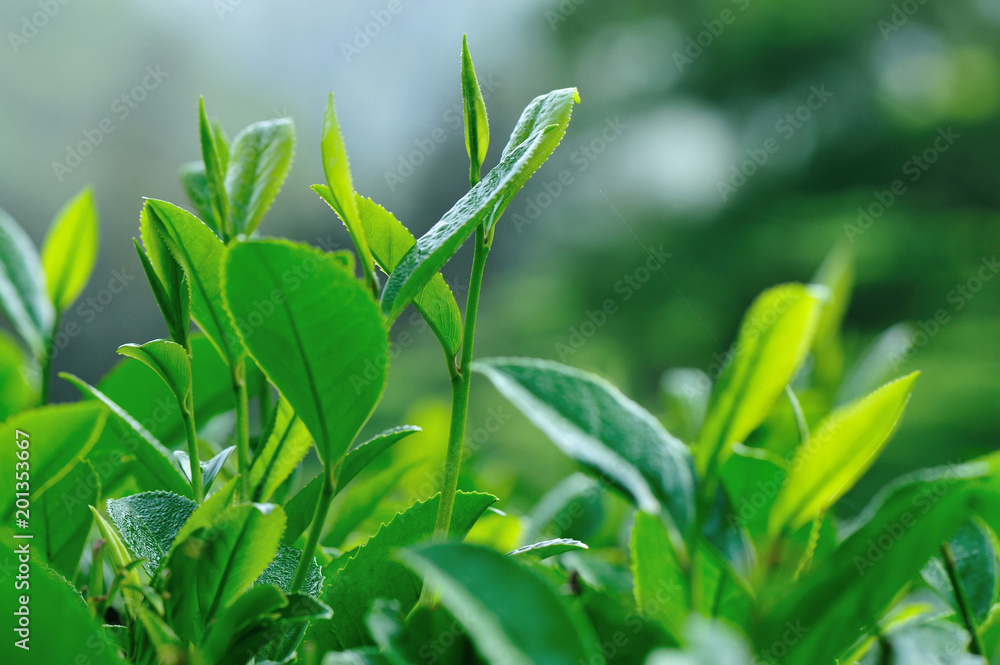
[149, 522]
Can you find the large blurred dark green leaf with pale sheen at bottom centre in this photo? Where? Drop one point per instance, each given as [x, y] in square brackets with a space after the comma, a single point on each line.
[510, 612]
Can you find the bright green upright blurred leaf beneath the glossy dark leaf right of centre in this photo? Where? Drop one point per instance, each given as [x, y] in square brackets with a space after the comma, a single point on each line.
[662, 590]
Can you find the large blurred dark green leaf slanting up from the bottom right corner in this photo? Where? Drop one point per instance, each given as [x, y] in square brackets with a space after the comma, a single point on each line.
[883, 550]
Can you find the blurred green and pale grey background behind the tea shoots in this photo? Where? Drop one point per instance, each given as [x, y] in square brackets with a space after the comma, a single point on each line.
[731, 143]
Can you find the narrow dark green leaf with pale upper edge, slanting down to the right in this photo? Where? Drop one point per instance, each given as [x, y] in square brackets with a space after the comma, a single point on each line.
[126, 436]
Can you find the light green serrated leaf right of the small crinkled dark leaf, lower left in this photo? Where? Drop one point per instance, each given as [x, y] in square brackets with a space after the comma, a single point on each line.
[213, 566]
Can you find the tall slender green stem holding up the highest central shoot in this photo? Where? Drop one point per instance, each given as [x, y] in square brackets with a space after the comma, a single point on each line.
[460, 382]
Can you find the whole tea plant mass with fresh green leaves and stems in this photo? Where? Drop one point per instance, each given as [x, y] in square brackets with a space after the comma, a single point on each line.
[718, 543]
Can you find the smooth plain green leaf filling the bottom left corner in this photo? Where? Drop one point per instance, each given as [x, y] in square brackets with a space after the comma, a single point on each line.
[53, 599]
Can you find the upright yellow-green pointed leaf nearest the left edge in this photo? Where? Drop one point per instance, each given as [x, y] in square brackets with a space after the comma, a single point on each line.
[70, 250]
